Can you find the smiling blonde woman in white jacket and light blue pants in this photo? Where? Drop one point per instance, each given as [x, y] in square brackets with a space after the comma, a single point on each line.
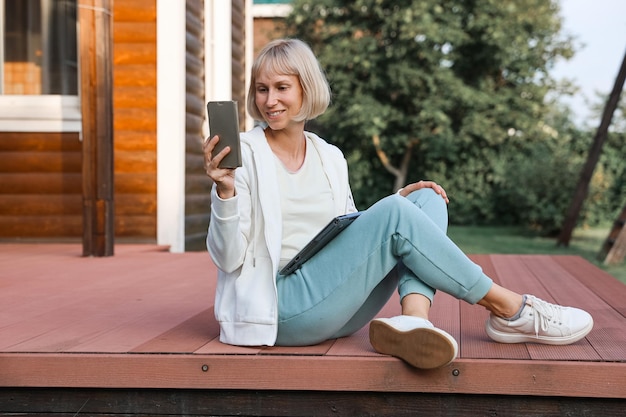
[290, 185]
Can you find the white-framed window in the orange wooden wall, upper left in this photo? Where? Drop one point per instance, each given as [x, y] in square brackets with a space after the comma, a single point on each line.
[39, 66]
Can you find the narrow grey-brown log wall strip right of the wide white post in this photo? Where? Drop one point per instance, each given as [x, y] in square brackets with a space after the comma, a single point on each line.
[197, 184]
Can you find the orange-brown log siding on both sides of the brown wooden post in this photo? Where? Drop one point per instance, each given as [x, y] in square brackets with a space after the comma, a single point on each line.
[40, 173]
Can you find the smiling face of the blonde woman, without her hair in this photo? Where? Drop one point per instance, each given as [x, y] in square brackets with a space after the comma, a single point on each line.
[278, 98]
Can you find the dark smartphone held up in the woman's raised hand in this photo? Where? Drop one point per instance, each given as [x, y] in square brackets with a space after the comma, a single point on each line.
[224, 122]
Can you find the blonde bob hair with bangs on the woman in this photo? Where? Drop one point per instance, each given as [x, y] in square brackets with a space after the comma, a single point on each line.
[292, 57]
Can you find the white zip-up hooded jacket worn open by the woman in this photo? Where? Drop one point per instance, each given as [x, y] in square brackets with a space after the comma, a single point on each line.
[246, 250]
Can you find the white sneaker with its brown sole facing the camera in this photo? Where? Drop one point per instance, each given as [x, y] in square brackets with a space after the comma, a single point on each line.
[414, 340]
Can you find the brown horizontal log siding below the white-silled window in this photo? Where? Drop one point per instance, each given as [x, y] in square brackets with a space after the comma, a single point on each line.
[40, 185]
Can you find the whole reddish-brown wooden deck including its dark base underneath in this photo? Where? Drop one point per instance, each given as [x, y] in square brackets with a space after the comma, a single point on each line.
[135, 334]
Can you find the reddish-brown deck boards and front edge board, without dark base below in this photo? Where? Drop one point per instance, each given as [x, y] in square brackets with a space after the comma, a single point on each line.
[85, 318]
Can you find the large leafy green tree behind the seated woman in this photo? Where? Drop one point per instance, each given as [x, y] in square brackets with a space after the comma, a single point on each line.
[438, 89]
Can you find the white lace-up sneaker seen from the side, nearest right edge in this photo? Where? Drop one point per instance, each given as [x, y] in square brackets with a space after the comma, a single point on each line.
[541, 322]
